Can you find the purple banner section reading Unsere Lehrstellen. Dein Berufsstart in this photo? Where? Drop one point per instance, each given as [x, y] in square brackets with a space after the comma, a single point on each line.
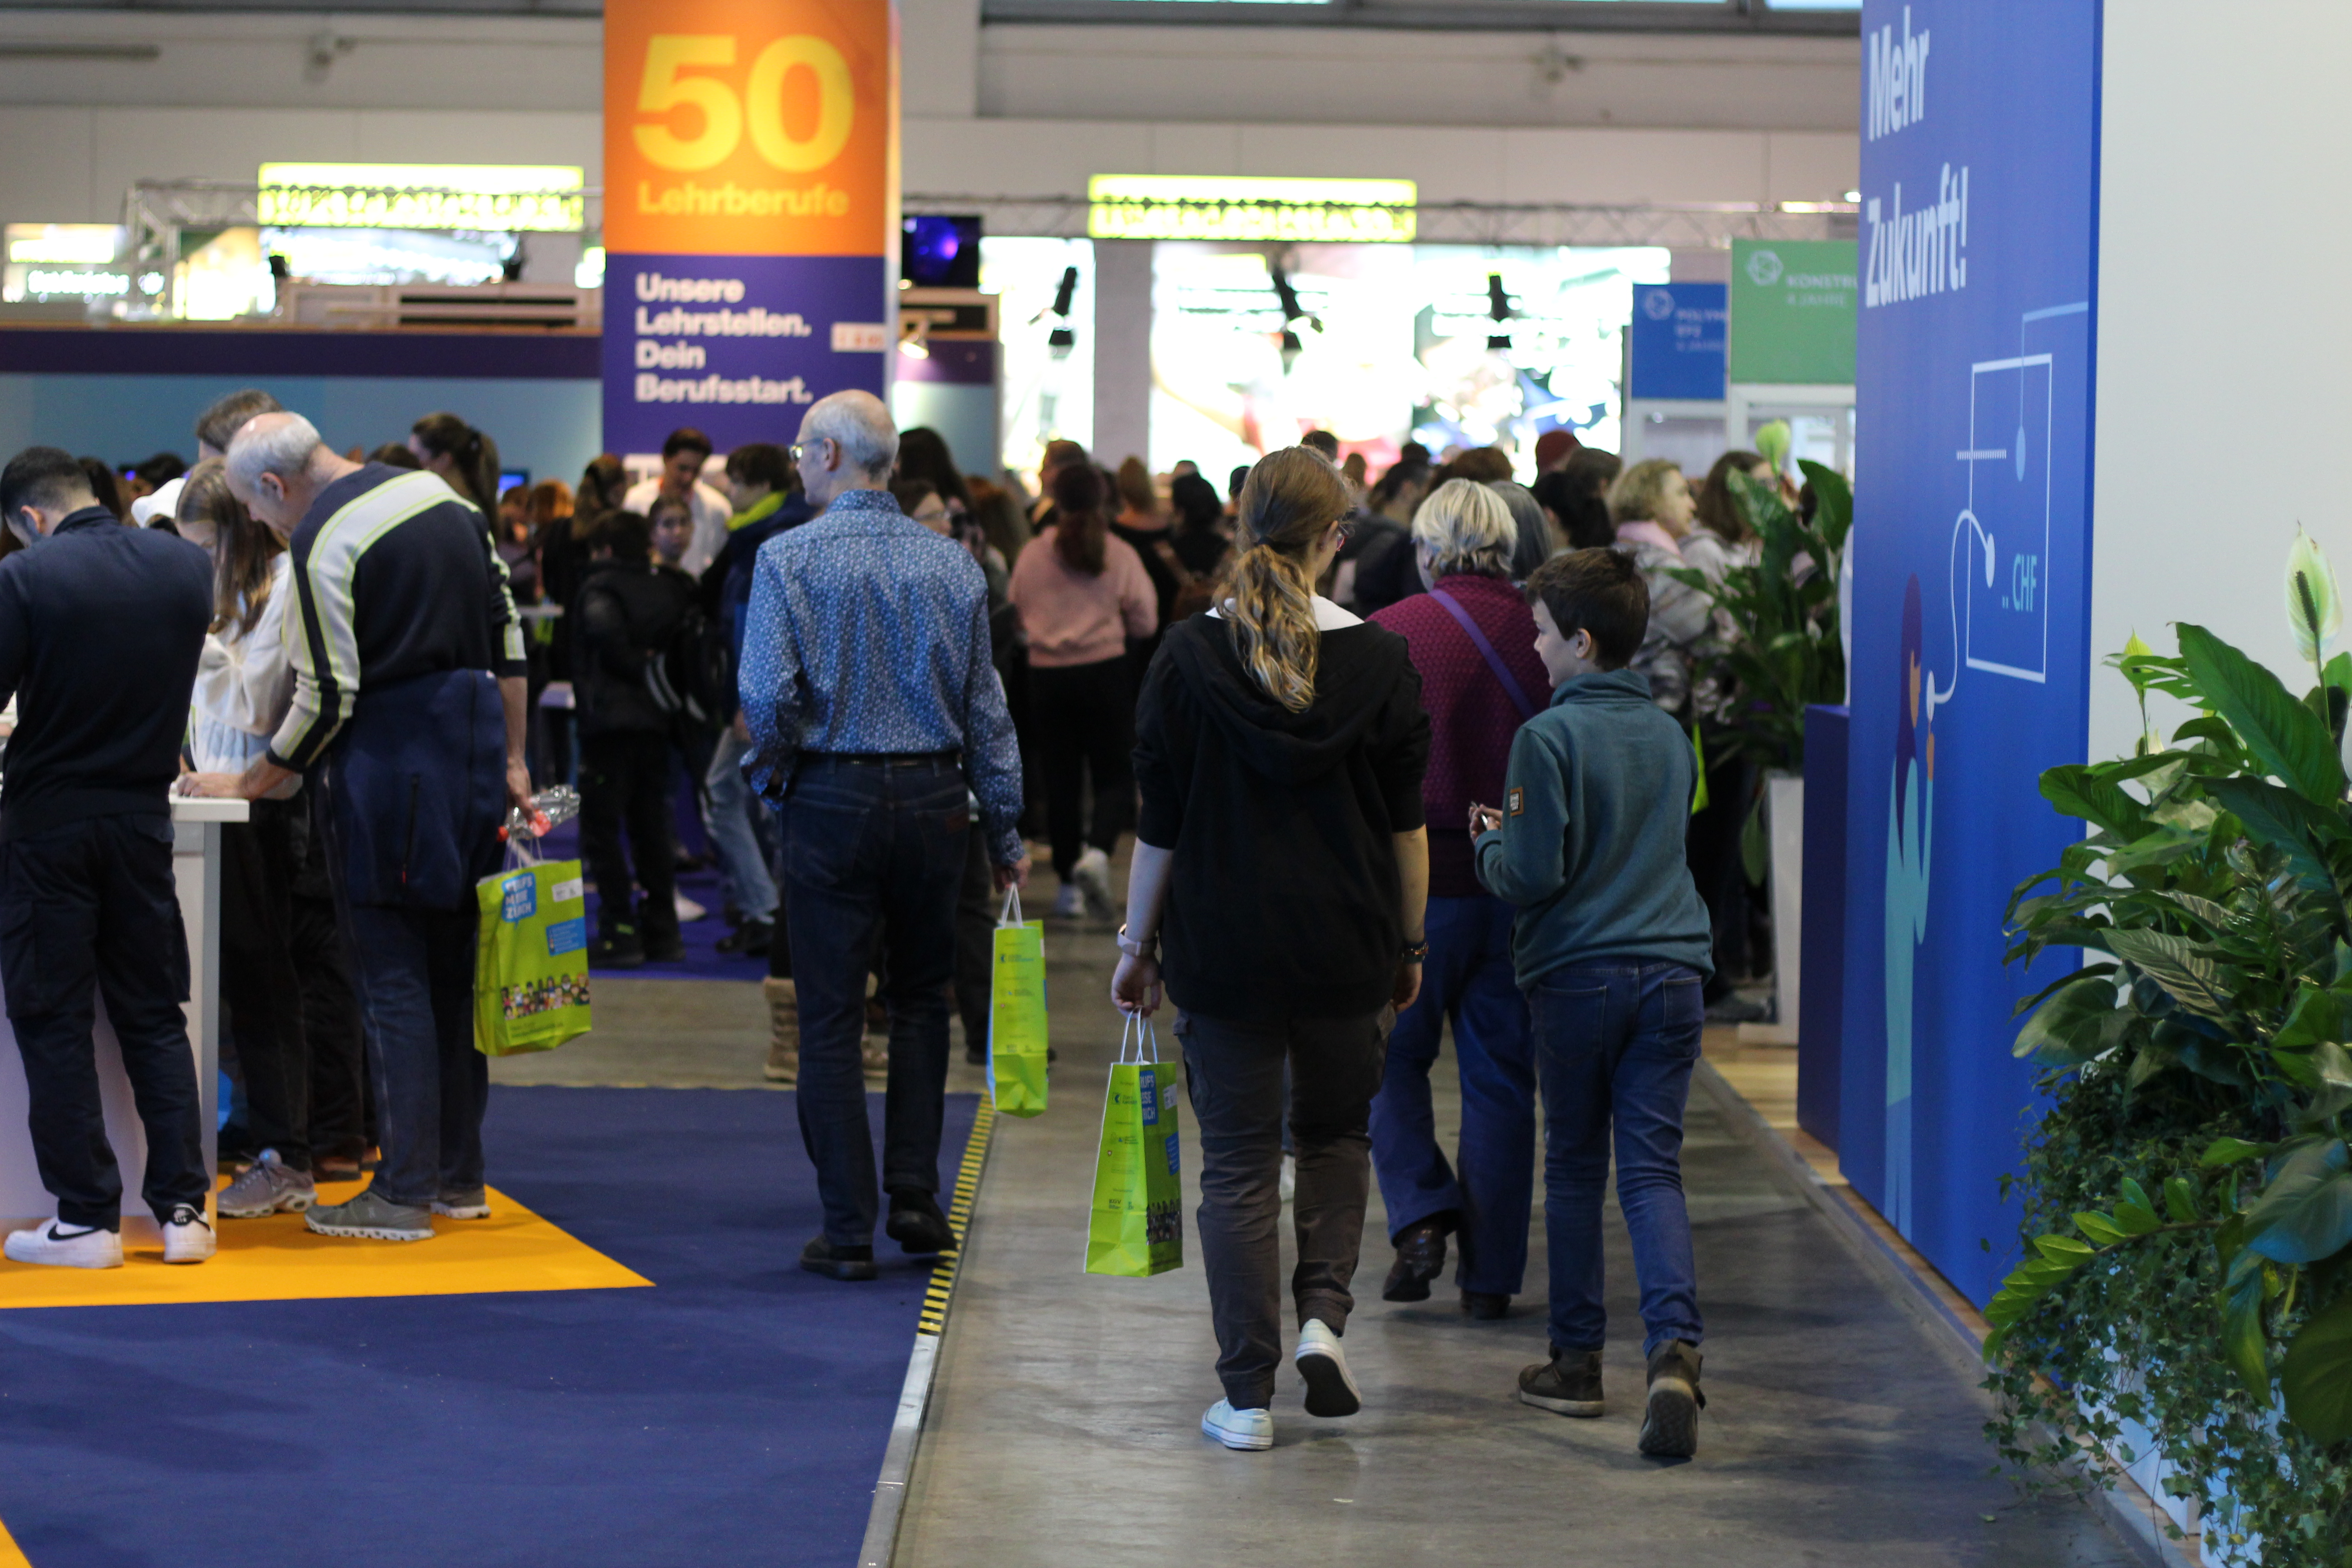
[737, 347]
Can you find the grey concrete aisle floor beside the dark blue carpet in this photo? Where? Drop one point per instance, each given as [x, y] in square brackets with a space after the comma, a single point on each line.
[1064, 1421]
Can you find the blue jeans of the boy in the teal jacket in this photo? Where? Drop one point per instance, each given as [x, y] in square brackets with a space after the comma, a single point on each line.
[1617, 1045]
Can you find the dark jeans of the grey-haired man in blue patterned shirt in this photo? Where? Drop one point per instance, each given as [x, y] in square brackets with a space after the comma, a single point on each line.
[871, 845]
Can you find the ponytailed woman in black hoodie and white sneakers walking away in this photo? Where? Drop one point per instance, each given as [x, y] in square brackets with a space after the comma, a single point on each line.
[1283, 862]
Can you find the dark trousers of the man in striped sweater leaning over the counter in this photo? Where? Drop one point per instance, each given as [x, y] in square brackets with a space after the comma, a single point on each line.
[415, 979]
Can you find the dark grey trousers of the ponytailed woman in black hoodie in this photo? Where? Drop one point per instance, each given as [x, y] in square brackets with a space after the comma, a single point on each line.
[1234, 1073]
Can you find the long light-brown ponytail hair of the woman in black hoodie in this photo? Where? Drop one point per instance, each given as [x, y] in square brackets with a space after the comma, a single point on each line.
[1288, 504]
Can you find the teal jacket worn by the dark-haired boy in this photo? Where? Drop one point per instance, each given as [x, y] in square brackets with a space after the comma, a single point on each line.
[1596, 808]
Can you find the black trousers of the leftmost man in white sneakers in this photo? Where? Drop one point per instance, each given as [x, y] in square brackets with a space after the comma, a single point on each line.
[91, 909]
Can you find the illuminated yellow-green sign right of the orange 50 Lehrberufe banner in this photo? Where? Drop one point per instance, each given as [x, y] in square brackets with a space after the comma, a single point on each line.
[1241, 208]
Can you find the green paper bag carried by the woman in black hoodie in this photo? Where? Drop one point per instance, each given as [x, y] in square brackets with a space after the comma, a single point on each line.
[1137, 1221]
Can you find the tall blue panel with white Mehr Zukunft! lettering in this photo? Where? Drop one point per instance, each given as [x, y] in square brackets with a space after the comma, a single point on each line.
[1972, 587]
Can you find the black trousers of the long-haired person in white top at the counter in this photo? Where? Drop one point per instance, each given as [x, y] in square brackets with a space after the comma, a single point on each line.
[260, 979]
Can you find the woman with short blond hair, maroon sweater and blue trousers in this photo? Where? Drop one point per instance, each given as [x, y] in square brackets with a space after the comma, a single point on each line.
[1474, 643]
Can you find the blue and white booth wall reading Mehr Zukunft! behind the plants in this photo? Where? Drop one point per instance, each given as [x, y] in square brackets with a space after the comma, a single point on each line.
[2043, 340]
